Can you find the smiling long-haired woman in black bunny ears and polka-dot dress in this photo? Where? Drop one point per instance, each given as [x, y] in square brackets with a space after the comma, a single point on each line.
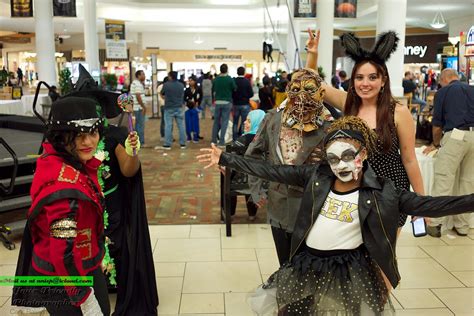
[369, 97]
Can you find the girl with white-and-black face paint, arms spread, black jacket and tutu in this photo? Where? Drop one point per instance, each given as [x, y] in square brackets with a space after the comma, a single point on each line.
[345, 233]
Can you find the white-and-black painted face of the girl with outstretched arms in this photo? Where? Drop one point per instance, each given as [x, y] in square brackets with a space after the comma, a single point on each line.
[344, 160]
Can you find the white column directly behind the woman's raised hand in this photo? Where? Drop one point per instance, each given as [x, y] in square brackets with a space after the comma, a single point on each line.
[325, 21]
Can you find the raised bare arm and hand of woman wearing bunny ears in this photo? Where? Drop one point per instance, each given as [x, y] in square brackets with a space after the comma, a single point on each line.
[335, 97]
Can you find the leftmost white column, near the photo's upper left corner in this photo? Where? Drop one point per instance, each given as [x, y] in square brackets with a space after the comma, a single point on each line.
[44, 37]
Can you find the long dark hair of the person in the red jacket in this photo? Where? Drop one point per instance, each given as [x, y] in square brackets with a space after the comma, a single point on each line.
[60, 140]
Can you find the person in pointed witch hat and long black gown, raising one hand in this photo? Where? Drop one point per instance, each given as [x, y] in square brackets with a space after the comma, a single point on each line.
[129, 268]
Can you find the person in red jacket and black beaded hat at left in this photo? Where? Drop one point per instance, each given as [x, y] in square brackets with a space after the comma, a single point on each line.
[64, 235]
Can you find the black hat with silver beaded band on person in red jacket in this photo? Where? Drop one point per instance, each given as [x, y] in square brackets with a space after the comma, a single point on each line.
[74, 114]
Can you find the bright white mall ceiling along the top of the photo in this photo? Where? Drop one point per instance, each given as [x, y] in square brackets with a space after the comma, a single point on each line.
[225, 16]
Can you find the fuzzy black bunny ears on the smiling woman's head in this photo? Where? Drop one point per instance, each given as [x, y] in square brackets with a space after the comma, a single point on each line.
[385, 45]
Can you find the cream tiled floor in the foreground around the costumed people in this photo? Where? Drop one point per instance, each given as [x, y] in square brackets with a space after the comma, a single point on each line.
[202, 272]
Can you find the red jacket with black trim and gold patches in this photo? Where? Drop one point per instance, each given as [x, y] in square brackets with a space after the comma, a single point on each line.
[65, 220]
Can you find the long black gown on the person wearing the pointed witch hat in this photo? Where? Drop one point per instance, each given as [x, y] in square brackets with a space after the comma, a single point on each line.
[128, 231]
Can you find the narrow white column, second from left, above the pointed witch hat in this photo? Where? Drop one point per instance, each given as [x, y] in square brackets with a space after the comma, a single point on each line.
[91, 40]
